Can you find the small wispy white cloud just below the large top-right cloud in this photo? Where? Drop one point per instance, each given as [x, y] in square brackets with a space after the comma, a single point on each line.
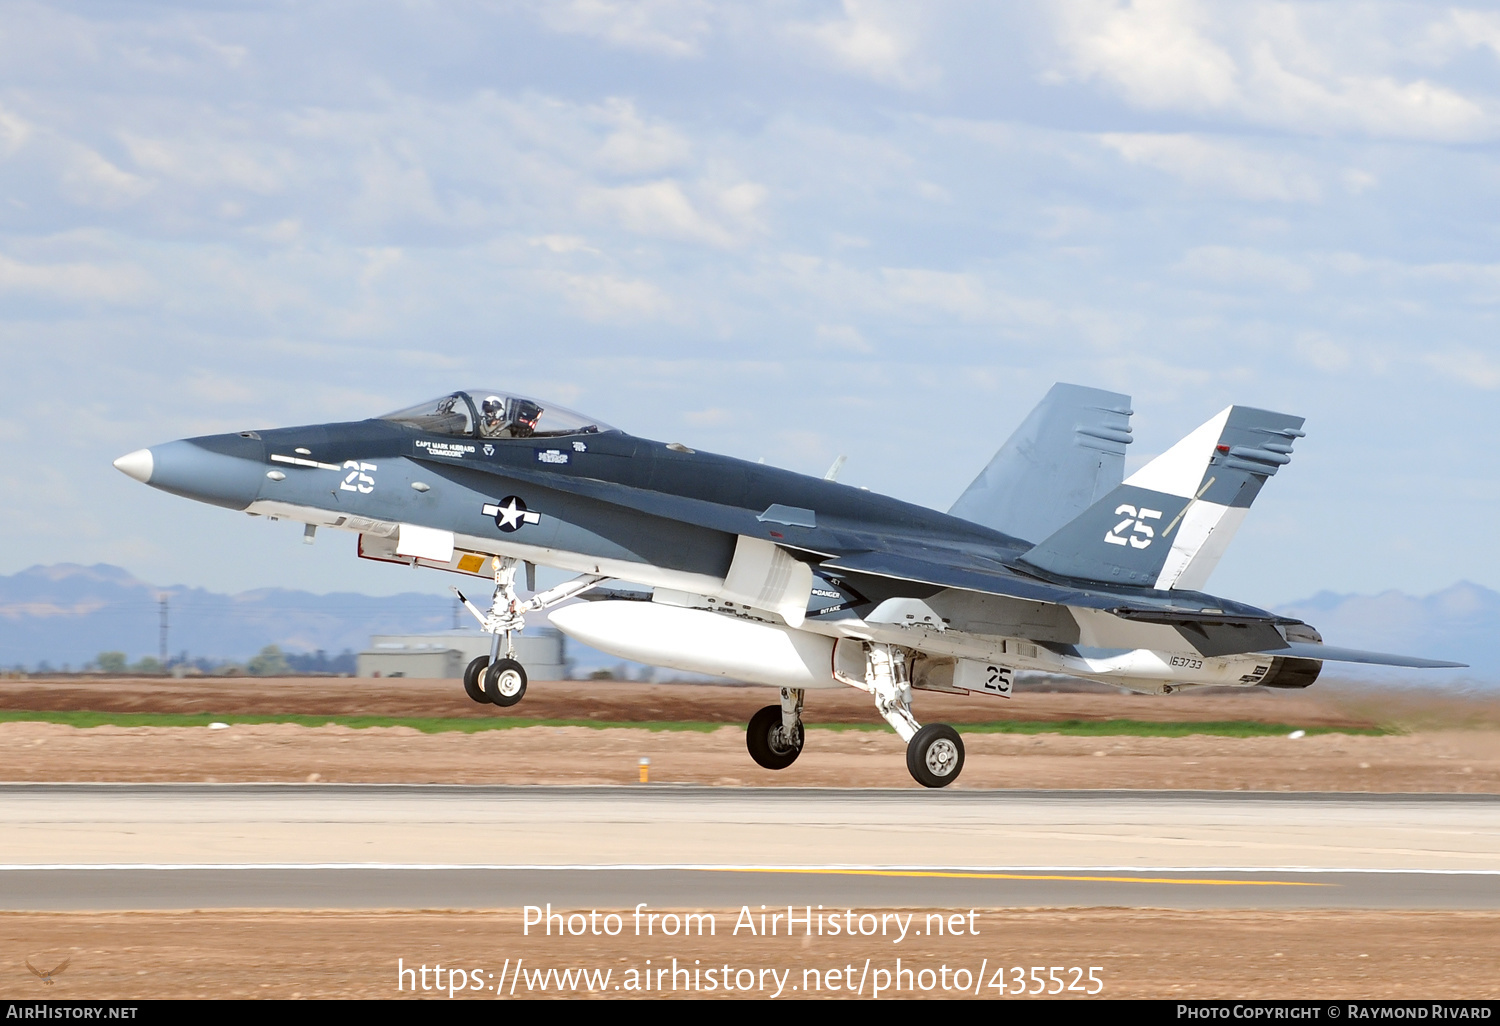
[1219, 166]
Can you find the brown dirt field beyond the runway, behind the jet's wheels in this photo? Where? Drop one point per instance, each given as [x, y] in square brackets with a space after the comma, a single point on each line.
[1451, 748]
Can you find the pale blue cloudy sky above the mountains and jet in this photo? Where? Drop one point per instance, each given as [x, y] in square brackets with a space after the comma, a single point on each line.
[772, 229]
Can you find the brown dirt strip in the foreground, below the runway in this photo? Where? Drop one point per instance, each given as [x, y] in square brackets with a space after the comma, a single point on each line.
[1141, 953]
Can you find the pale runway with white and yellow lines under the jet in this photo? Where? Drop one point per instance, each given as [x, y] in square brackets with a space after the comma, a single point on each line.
[355, 847]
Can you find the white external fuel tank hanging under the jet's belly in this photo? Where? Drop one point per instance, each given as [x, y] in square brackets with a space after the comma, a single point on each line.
[701, 643]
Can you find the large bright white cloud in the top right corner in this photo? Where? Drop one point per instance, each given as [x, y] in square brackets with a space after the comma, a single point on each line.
[1268, 64]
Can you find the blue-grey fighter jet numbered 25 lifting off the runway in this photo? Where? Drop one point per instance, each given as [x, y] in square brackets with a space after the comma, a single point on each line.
[1051, 562]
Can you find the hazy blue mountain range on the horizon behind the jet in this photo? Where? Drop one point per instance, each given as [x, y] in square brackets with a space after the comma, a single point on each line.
[67, 614]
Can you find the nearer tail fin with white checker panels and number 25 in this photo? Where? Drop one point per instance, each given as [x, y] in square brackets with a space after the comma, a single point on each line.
[1169, 524]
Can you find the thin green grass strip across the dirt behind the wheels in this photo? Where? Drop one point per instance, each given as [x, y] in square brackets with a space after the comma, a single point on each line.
[473, 725]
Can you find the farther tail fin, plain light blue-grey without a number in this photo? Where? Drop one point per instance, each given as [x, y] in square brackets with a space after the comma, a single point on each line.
[1067, 454]
